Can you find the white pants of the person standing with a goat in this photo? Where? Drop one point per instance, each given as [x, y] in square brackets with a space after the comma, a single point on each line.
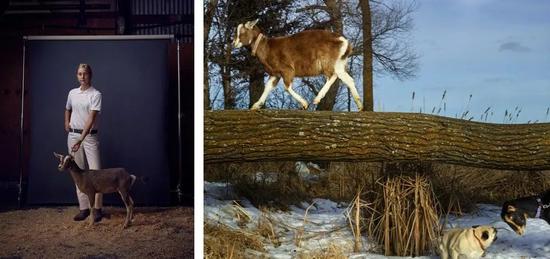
[89, 149]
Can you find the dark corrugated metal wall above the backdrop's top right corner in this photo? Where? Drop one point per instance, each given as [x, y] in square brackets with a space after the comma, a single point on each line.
[179, 9]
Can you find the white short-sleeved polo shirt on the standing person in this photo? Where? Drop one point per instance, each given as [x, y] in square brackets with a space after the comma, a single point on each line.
[81, 103]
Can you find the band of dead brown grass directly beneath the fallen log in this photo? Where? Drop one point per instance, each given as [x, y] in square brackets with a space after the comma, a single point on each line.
[458, 188]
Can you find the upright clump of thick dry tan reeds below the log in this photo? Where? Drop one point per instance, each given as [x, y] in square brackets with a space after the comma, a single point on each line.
[404, 217]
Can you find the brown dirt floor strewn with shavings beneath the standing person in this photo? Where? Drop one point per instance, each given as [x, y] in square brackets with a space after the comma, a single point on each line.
[51, 233]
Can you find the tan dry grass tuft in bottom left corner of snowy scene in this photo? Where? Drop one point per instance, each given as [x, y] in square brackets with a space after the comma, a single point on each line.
[223, 242]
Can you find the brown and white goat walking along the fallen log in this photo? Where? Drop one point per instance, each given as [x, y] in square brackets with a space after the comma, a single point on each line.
[307, 53]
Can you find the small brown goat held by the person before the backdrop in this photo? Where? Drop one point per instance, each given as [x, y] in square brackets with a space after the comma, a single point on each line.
[108, 180]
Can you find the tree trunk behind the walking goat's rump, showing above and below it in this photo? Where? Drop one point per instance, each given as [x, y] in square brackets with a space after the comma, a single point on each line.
[334, 8]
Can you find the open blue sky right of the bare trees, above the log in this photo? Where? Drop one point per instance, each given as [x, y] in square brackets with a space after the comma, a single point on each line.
[498, 51]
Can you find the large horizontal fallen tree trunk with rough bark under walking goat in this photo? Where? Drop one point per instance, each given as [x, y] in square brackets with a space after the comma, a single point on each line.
[269, 135]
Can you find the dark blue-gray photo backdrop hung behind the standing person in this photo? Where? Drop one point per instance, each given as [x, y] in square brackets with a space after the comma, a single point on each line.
[133, 79]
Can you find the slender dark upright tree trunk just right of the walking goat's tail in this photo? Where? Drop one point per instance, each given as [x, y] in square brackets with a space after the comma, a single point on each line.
[368, 99]
